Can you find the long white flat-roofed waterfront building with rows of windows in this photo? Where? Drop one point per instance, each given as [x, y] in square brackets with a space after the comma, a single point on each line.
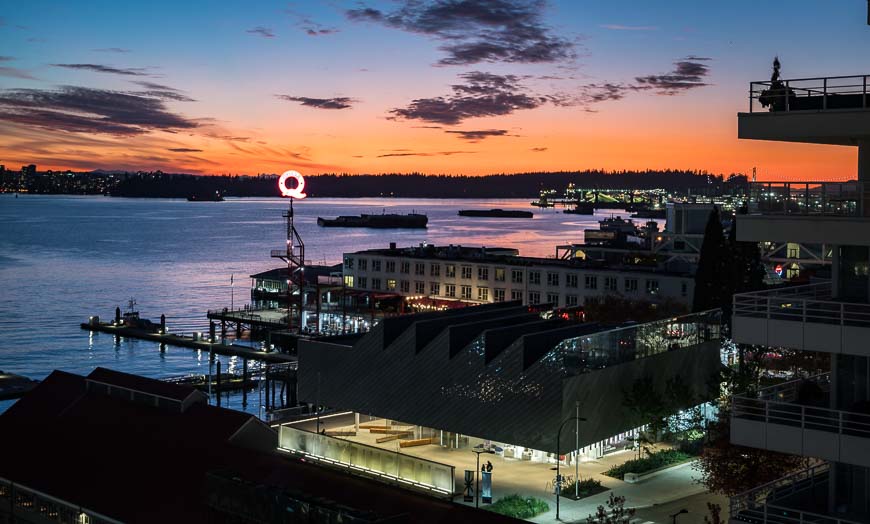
[483, 275]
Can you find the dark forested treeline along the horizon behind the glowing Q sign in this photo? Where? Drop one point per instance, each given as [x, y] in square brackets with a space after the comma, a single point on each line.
[518, 185]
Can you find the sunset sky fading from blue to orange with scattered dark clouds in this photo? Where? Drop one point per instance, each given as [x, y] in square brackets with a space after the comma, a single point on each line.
[443, 86]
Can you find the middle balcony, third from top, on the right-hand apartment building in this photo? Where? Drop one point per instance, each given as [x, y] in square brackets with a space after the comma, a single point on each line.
[802, 317]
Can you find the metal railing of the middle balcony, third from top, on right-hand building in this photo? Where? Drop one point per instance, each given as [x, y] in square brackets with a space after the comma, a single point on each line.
[810, 303]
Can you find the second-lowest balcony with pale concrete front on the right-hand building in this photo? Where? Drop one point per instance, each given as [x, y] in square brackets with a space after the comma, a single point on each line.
[793, 418]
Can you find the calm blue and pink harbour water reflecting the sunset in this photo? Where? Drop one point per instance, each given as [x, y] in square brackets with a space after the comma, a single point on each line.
[64, 258]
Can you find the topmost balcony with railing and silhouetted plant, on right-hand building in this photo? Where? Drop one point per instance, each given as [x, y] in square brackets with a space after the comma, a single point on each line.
[823, 110]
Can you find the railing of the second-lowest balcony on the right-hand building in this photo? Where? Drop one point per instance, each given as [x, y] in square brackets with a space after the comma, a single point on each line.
[780, 405]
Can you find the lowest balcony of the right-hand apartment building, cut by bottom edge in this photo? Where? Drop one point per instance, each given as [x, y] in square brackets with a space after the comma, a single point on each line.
[799, 498]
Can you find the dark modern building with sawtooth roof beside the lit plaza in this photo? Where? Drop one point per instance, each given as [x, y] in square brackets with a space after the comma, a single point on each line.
[502, 373]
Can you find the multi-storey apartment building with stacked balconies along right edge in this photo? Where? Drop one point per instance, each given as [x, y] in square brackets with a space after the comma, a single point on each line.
[824, 418]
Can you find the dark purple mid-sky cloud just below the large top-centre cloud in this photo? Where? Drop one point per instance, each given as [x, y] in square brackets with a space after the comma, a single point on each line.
[482, 94]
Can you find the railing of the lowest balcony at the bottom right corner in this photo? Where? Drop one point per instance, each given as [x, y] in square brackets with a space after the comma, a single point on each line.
[759, 505]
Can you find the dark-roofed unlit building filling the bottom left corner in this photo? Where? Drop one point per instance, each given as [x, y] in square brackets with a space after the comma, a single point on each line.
[112, 447]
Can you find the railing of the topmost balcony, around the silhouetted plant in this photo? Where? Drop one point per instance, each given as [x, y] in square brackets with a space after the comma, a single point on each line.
[809, 94]
